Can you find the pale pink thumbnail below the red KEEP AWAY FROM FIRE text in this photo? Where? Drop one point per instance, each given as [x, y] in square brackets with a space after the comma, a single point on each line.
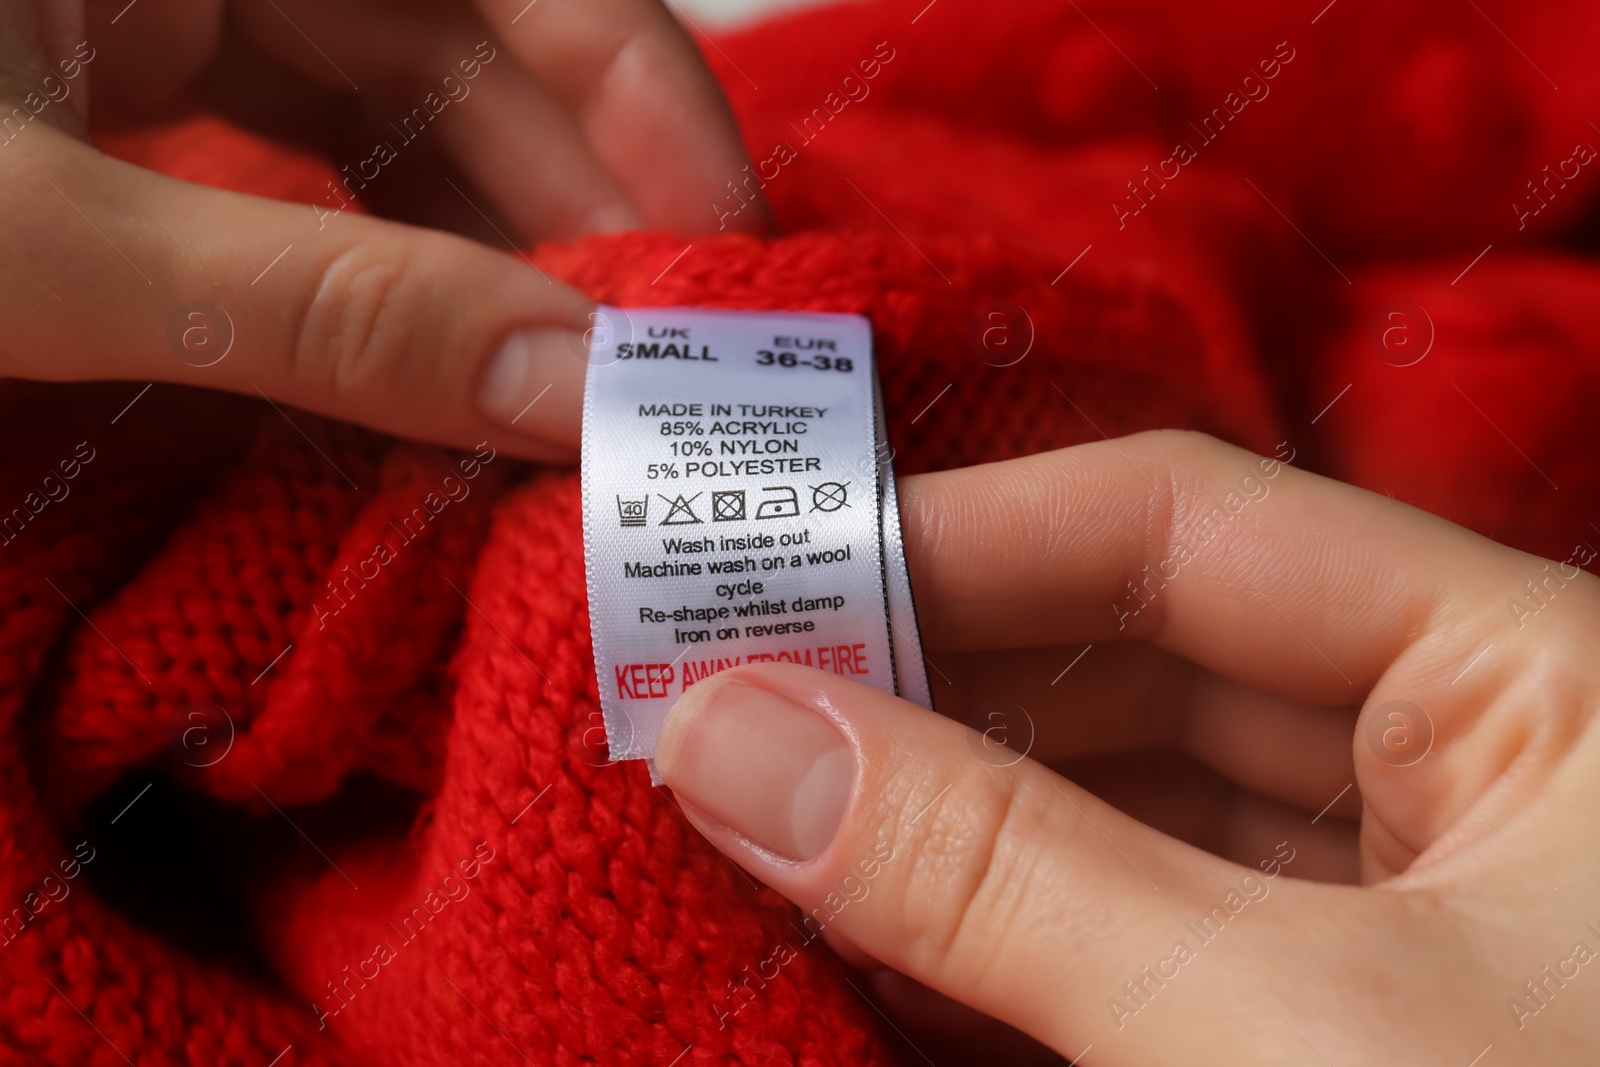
[774, 770]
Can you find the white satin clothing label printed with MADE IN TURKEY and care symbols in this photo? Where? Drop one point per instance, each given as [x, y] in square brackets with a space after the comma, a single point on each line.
[738, 508]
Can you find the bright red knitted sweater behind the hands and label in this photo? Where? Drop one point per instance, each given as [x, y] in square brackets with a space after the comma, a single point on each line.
[300, 748]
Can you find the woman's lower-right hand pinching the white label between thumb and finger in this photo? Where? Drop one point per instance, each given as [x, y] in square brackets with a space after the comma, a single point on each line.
[1348, 690]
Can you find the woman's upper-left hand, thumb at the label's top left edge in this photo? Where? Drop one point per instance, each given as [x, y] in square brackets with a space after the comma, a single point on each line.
[569, 118]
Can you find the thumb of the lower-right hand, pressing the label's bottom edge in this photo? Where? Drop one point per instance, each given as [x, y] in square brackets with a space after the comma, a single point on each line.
[1002, 887]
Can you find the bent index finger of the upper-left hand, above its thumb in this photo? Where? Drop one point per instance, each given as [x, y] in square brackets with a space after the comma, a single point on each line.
[646, 100]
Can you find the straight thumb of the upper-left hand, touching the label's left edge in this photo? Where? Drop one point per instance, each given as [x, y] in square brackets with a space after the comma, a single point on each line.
[116, 273]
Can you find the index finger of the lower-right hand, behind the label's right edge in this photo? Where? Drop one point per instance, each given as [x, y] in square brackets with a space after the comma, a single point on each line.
[1279, 578]
